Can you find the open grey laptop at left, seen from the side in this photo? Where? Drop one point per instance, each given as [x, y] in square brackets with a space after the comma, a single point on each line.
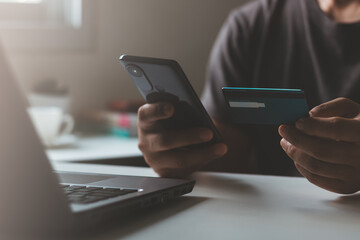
[36, 200]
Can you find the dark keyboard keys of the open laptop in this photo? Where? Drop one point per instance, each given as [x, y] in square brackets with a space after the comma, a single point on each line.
[89, 194]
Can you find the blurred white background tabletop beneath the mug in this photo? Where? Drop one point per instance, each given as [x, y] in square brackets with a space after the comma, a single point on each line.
[96, 148]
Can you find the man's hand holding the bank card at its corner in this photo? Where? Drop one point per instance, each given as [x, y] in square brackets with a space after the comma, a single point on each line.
[325, 147]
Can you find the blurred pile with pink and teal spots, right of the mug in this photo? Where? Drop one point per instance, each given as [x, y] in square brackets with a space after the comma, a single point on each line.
[119, 119]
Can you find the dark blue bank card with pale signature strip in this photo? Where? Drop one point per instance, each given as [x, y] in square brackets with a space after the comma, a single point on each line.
[266, 106]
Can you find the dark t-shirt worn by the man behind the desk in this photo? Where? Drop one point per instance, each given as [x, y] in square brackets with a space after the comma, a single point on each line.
[283, 44]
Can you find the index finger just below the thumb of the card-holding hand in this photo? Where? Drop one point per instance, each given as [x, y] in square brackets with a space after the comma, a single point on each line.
[335, 128]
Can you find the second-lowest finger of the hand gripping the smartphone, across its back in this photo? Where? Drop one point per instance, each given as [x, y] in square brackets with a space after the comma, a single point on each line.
[170, 139]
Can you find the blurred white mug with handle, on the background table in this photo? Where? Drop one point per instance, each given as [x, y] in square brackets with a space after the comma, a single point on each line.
[50, 123]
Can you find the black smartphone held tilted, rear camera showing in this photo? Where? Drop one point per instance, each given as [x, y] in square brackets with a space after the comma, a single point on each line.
[164, 80]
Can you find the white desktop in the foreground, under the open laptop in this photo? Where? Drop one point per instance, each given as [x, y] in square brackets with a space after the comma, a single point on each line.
[236, 206]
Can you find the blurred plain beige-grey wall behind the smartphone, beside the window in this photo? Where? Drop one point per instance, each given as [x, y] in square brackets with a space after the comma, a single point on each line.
[180, 29]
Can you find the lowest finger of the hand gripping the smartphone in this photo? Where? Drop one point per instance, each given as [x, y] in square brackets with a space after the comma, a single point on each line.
[187, 159]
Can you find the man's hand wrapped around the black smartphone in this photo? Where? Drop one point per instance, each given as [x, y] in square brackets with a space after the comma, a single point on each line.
[166, 150]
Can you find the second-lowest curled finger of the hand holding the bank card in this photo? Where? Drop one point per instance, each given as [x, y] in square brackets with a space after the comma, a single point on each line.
[315, 166]
